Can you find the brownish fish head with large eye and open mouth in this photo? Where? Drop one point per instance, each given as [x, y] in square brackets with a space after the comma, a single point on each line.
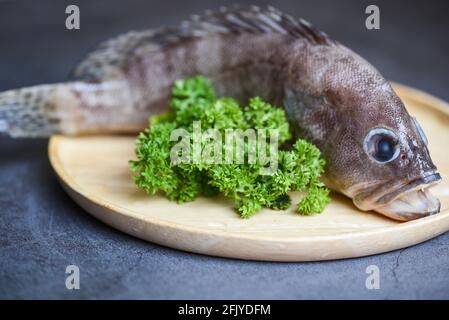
[380, 157]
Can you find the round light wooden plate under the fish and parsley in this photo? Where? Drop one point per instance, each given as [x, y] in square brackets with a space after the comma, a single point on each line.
[94, 172]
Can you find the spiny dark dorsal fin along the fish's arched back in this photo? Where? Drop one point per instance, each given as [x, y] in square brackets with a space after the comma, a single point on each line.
[111, 57]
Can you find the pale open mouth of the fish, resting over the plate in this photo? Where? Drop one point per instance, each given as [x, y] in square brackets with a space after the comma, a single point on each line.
[404, 201]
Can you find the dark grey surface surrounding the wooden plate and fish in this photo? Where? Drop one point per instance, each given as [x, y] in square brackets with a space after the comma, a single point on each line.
[42, 230]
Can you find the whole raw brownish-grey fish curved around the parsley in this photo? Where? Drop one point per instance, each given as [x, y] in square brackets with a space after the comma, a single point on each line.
[376, 152]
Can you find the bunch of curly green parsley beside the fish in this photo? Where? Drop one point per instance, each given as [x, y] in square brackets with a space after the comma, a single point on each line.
[194, 99]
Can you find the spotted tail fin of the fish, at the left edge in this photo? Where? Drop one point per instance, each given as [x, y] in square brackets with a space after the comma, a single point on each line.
[29, 112]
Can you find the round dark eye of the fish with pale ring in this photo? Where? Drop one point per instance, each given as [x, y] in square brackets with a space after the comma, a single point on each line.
[381, 145]
